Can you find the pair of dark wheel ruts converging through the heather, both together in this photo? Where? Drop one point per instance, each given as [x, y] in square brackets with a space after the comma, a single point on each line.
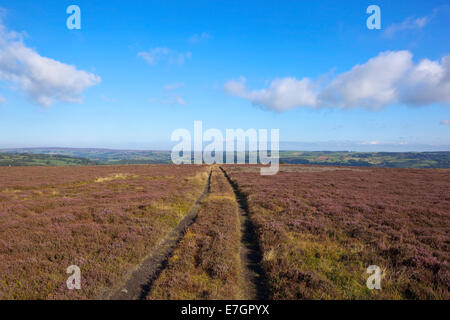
[254, 284]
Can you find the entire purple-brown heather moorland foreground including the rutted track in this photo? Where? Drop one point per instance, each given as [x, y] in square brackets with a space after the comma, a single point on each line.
[308, 232]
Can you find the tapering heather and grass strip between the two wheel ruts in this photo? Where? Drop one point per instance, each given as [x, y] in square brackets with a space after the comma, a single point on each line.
[206, 262]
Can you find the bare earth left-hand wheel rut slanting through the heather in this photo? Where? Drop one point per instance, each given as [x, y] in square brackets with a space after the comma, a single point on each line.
[140, 283]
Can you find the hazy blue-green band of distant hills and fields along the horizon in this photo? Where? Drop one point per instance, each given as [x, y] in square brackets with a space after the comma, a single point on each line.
[82, 156]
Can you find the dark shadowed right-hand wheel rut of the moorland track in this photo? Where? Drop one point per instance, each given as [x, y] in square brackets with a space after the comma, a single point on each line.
[255, 282]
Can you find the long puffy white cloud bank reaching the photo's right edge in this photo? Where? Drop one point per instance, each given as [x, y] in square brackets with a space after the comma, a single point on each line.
[389, 78]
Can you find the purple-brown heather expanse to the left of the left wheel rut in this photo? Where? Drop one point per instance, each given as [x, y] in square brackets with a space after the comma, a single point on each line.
[104, 219]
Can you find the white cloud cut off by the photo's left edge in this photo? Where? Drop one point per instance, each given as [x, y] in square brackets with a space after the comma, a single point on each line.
[43, 80]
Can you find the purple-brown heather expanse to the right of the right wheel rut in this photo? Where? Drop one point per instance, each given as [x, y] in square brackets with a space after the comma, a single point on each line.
[320, 228]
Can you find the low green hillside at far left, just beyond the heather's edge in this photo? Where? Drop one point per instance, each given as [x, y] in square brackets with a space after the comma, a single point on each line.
[28, 159]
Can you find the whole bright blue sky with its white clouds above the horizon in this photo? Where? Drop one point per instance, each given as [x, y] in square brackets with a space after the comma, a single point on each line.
[142, 69]
